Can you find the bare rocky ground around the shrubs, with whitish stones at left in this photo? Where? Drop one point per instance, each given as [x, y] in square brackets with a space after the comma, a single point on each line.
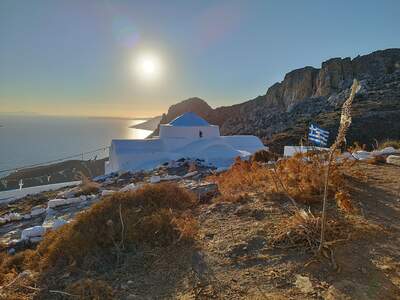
[233, 256]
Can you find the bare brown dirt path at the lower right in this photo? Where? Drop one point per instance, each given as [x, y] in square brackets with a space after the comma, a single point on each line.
[238, 262]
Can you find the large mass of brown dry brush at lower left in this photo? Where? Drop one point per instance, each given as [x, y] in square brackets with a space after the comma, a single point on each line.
[96, 242]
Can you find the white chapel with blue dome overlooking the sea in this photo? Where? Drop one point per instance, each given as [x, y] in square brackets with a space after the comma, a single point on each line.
[188, 136]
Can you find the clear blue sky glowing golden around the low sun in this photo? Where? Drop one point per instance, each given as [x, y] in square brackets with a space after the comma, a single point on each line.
[80, 58]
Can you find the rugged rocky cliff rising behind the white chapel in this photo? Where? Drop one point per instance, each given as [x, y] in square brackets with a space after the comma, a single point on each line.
[283, 114]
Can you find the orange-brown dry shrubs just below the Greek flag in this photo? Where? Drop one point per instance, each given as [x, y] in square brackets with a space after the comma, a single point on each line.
[300, 177]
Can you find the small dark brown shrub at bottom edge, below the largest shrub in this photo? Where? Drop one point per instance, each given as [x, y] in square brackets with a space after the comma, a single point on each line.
[91, 289]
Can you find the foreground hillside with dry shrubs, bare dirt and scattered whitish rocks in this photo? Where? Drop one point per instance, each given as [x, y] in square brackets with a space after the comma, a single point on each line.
[131, 237]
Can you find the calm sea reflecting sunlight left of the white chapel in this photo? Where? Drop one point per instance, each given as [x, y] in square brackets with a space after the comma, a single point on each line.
[29, 140]
